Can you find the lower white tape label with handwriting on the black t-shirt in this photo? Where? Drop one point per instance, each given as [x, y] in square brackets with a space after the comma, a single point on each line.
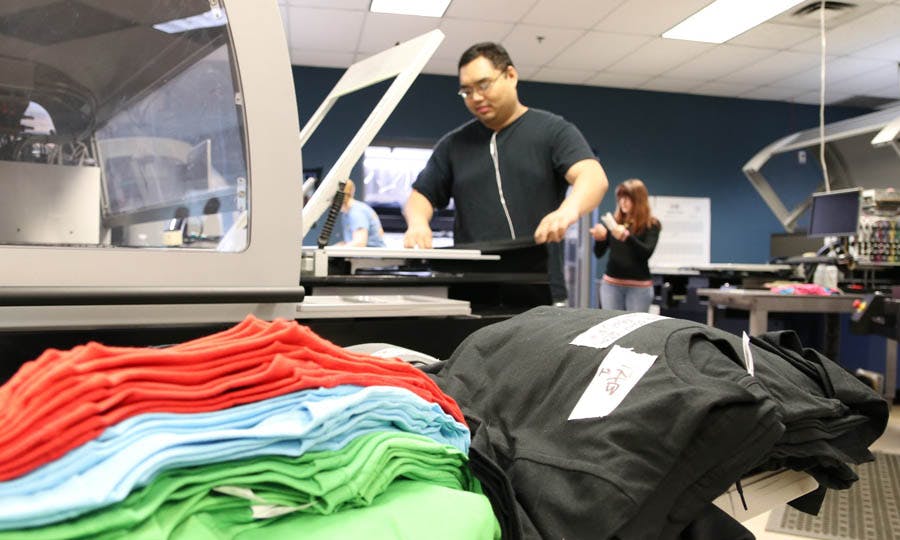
[617, 375]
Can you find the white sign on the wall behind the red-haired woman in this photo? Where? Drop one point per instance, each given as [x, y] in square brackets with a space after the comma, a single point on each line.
[686, 231]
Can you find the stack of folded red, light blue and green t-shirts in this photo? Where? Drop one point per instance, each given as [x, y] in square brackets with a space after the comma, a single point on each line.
[264, 423]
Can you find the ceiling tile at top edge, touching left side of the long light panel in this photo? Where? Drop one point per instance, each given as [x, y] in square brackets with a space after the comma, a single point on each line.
[649, 17]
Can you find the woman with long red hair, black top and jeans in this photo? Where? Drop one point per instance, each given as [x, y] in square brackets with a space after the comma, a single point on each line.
[630, 240]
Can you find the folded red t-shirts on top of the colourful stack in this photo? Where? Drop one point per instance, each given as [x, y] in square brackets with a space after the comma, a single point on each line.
[72, 396]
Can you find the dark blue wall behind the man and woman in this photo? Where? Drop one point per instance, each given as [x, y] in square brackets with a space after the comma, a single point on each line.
[679, 144]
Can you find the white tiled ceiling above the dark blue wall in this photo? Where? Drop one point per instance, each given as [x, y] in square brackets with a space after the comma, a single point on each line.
[617, 43]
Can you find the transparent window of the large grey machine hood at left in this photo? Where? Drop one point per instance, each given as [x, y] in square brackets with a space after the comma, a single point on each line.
[121, 125]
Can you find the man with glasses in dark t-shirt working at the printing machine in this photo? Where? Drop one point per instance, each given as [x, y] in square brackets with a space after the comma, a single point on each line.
[508, 169]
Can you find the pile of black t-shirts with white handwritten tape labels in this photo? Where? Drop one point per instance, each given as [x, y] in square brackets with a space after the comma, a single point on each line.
[602, 424]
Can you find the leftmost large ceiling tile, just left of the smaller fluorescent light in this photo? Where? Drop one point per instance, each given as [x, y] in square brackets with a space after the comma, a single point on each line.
[313, 29]
